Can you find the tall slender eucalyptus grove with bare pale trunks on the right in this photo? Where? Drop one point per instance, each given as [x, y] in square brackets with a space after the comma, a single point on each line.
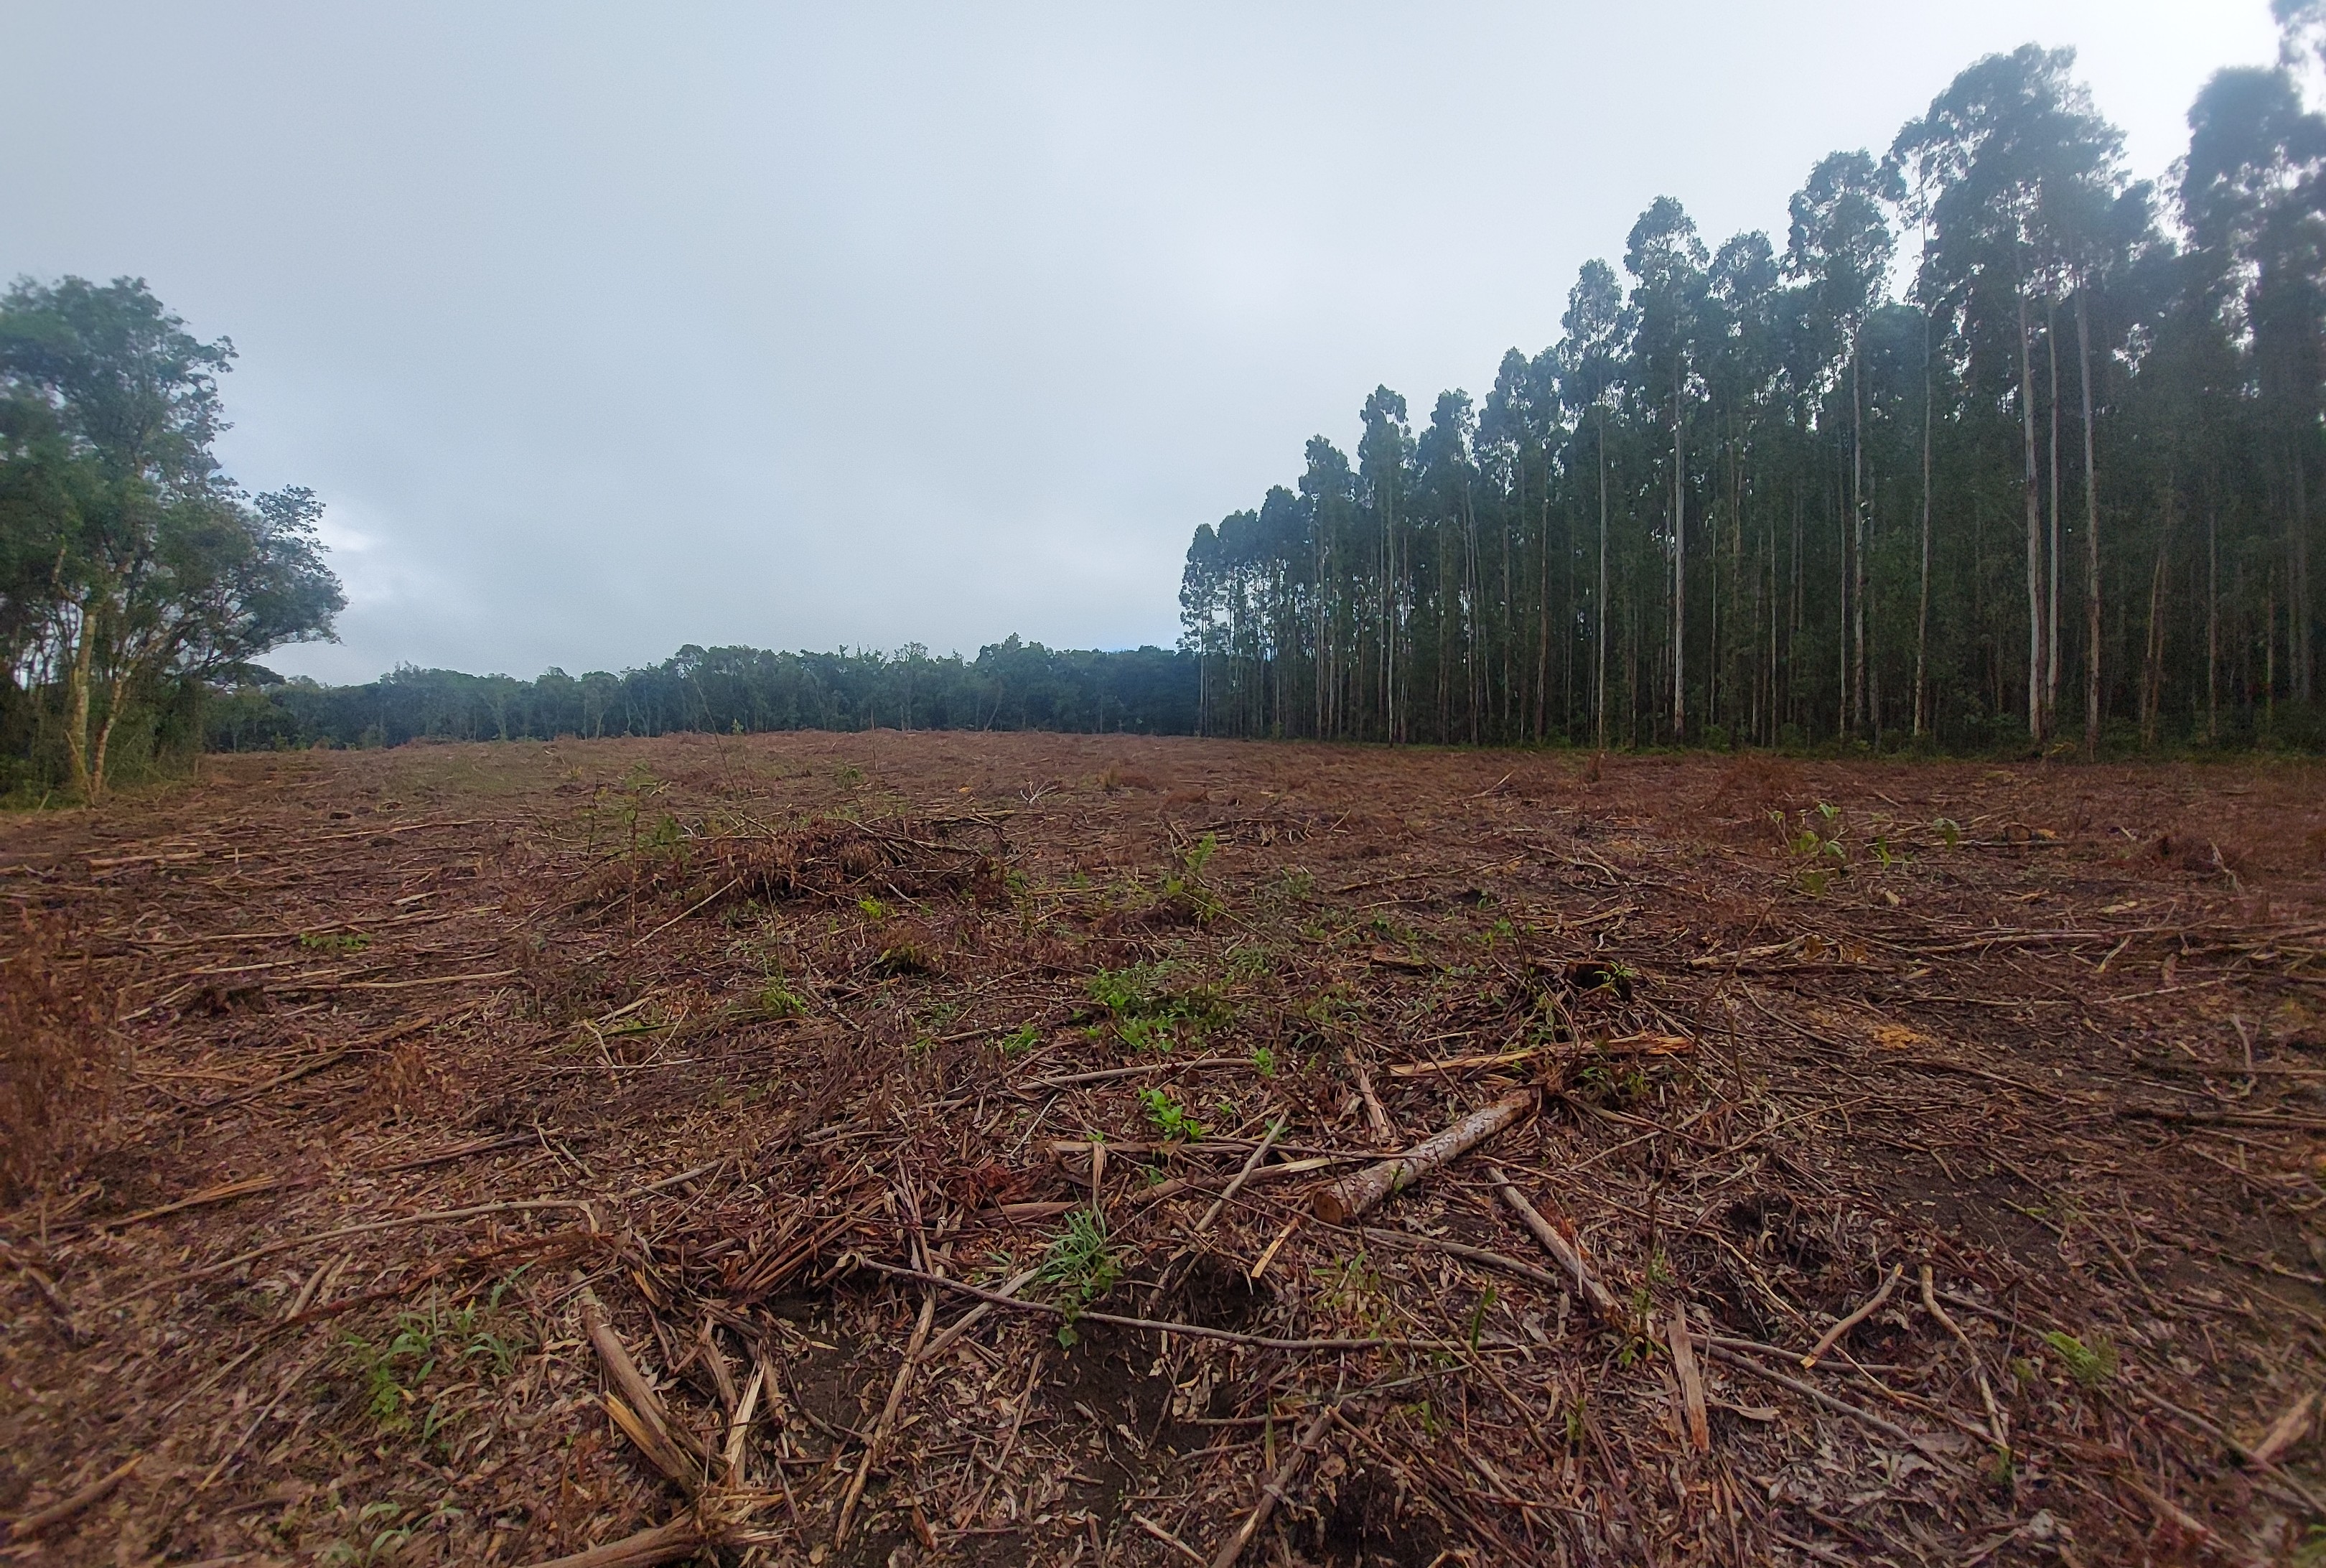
[1997, 422]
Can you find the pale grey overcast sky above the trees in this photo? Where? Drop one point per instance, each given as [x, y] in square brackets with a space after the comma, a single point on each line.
[606, 329]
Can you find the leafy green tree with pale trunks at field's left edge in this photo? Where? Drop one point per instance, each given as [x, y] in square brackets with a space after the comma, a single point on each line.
[131, 569]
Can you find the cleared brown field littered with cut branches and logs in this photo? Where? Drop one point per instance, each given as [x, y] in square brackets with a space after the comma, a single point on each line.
[920, 1150]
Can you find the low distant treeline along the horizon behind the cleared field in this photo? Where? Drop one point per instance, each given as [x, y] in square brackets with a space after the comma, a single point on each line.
[732, 690]
